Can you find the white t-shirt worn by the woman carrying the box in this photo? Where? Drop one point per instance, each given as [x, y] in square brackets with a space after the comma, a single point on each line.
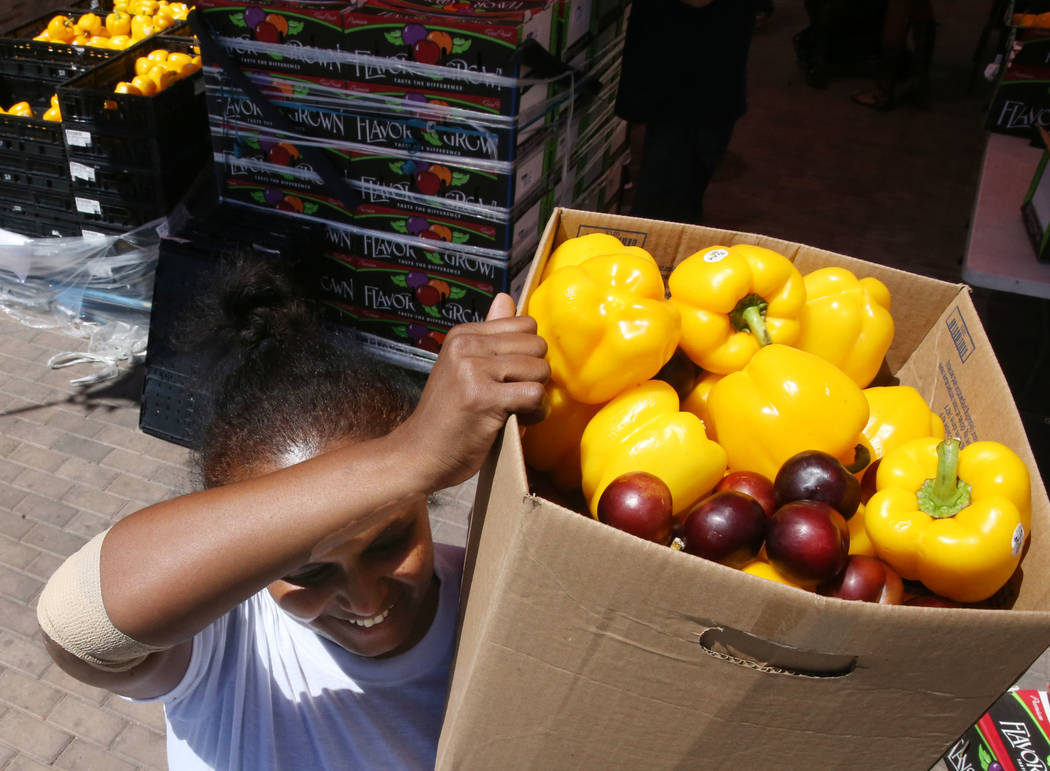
[263, 692]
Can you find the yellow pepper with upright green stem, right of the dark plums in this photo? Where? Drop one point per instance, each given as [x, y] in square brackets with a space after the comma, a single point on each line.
[955, 520]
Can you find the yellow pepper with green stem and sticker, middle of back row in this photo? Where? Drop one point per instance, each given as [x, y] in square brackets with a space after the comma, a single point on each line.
[734, 301]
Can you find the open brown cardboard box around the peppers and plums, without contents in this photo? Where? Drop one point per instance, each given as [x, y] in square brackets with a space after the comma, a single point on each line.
[585, 648]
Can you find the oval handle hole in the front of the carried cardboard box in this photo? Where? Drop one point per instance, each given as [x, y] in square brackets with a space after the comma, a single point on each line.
[749, 651]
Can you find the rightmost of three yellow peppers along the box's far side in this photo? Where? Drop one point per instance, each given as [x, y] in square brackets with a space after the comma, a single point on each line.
[847, 321]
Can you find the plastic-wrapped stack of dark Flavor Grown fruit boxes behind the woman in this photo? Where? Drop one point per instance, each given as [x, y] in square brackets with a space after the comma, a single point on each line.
[430, 141]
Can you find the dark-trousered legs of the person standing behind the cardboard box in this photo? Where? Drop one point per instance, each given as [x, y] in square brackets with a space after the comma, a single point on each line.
[679, 160]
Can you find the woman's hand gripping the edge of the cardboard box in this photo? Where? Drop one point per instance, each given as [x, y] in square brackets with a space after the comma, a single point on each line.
[485, 373]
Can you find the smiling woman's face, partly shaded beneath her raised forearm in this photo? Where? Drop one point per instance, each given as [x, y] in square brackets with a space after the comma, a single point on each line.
[375, 595]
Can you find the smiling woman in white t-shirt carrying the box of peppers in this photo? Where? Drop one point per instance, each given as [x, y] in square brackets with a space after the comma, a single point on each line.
[296, 613]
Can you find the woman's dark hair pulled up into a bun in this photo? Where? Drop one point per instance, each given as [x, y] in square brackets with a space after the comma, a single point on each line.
[286, 383]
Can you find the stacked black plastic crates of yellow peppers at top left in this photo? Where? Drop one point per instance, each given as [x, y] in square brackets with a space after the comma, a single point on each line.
[82, 150]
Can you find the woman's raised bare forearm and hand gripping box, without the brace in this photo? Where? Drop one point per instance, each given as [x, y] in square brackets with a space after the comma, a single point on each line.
[171, 570]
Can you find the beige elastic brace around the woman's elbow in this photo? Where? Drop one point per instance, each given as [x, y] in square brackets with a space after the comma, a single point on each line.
[71, 612]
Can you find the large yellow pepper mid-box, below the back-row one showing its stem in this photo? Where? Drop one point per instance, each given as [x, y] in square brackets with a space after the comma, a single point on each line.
[784, 402]
